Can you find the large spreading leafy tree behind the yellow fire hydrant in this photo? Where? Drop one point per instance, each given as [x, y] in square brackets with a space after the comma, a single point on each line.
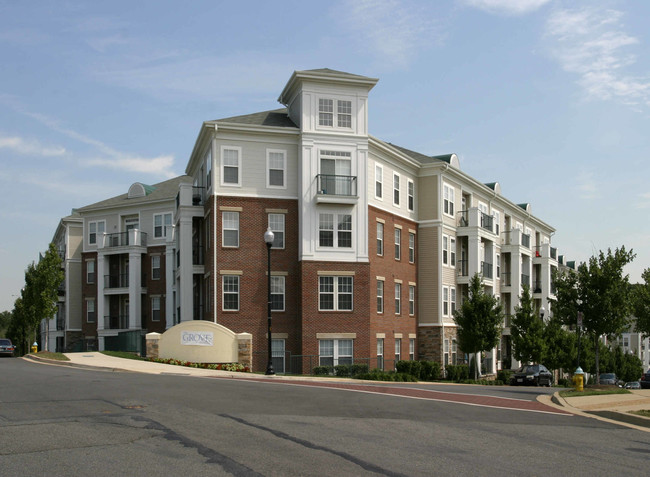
[601, 292]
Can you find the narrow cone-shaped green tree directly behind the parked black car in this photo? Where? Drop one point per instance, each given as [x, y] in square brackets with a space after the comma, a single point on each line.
[527, 331]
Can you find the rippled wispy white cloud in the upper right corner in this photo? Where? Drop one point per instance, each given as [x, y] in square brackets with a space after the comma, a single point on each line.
[592, 44]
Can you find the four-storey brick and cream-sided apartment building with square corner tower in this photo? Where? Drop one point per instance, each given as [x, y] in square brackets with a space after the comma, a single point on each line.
[374, 243]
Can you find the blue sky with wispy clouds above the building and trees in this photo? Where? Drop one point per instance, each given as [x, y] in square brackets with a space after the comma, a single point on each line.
[549, 98]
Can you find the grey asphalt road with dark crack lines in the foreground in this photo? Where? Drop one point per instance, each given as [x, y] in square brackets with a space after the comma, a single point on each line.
[65, 421]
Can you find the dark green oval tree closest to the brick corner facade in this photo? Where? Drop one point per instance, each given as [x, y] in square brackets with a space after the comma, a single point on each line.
[479, 320]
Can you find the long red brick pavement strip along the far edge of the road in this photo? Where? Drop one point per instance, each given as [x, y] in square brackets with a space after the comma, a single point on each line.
[415, 393]
